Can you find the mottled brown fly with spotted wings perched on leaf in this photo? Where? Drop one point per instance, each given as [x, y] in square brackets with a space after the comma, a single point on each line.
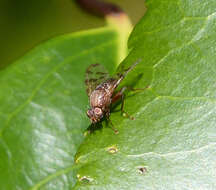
[100, 89]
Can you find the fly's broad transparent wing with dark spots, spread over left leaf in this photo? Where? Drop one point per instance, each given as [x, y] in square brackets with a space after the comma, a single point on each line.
[95, 75]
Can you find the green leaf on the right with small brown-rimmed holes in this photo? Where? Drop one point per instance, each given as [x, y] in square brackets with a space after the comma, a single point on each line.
[171, 144]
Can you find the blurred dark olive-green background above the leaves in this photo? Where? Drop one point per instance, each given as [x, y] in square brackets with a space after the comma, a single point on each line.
[25, 23]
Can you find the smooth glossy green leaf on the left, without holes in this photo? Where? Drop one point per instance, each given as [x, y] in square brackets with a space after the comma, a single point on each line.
[43, 109]
